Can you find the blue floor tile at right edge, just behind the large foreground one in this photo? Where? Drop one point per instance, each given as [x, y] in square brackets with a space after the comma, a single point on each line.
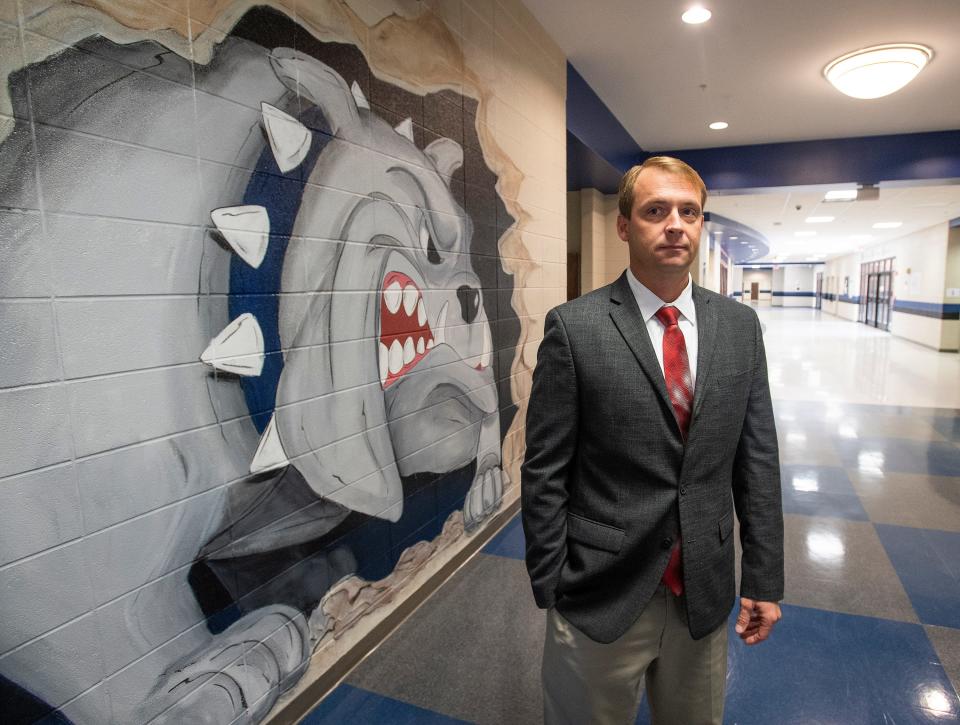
[928, 564]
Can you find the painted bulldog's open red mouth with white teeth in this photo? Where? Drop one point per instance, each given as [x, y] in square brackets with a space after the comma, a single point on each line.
[405, 335]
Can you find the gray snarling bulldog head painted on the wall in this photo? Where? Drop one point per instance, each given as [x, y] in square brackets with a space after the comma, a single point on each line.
[387, 348]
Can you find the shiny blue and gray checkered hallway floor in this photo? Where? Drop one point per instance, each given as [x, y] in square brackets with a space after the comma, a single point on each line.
[869, 429]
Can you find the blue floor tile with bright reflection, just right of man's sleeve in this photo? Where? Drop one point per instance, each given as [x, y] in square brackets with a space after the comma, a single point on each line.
[820, 491]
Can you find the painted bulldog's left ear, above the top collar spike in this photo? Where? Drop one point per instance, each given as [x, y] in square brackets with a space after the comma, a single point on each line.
[319, 84]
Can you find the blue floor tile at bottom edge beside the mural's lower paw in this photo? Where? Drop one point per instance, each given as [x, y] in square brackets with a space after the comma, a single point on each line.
[348, 704]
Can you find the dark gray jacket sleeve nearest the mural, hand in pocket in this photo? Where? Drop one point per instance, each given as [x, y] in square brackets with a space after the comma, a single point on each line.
[552, 423]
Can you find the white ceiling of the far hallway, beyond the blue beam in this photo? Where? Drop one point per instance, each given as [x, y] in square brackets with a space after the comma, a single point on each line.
[775, 215]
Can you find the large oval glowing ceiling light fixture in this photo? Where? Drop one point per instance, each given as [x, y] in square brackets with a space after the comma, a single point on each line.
[877, 71]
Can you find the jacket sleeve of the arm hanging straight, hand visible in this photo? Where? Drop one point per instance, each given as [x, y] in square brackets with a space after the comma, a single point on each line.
[756, 490]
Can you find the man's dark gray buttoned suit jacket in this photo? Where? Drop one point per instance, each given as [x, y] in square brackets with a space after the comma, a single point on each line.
[608, 485]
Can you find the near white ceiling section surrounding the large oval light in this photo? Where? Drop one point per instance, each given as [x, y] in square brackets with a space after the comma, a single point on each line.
[761, 63]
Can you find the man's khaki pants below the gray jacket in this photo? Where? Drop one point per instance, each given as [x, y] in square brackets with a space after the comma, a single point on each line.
[588, 682]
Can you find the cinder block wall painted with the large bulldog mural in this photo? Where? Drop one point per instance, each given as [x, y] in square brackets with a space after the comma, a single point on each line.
[273, 282]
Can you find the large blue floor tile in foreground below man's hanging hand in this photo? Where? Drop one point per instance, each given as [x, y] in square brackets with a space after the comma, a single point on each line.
[826, 667]
